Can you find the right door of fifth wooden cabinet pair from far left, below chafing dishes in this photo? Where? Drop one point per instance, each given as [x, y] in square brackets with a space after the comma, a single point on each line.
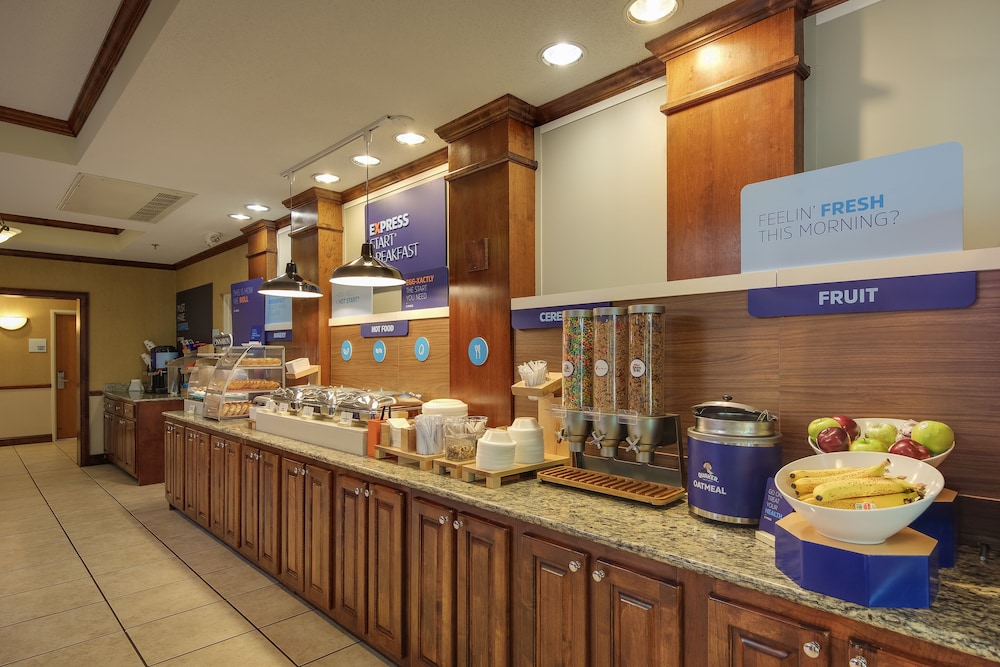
[318, 536]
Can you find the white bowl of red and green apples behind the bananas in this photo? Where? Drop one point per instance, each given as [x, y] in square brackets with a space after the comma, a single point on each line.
[928, 441]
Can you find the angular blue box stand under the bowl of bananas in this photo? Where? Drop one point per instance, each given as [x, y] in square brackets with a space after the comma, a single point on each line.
[902, 572]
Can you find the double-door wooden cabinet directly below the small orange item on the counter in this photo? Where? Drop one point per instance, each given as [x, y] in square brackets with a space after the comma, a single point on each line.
[369, 562]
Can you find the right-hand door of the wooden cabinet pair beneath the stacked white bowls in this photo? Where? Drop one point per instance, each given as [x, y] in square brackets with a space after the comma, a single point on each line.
[483, 587]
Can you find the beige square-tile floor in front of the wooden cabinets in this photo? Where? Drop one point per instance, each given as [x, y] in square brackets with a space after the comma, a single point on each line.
[95, 570]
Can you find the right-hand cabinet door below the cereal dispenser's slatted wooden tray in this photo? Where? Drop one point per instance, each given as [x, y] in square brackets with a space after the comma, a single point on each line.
[636, 619]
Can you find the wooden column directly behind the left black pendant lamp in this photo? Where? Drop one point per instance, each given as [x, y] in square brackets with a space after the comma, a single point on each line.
[317, 242]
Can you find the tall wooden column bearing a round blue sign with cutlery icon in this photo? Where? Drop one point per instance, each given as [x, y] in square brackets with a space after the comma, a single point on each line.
[491, 245]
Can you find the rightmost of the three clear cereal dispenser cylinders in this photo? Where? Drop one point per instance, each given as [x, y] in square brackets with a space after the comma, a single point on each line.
[647, 368]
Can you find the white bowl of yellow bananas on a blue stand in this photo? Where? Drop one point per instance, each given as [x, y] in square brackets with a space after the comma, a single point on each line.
[859, 497]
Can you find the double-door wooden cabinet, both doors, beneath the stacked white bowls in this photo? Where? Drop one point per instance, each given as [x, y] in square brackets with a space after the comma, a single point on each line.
[459, 599]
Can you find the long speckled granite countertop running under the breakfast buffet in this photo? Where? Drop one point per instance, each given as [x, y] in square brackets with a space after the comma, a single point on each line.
[962, 617]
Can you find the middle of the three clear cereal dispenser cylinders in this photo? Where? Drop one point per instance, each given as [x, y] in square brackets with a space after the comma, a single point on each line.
[611, 360]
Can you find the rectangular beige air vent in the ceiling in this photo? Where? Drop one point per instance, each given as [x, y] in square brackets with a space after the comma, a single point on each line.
[122, 200]
